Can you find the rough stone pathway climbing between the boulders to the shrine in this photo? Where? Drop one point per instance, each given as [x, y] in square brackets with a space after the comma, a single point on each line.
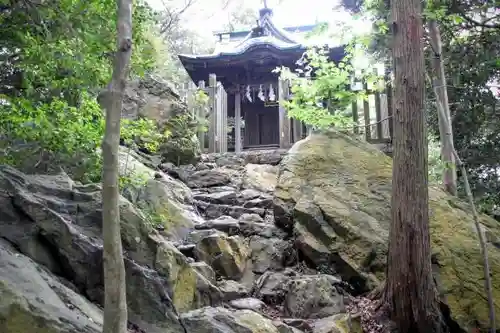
[238, 247]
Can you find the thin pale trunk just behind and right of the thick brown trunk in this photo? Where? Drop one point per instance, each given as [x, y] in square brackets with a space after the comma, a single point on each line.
[441, 92]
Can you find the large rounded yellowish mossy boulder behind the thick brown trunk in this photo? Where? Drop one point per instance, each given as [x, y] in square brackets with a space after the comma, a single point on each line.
[334, 193]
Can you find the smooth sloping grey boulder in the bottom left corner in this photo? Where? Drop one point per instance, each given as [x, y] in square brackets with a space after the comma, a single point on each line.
[33, 300]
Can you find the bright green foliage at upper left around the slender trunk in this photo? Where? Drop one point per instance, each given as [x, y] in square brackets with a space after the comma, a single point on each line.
[56, 56]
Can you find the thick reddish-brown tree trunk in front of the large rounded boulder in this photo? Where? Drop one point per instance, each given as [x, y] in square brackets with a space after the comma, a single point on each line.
[410, 291]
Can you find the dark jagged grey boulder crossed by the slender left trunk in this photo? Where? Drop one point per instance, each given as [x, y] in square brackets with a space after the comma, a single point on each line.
[58, 224]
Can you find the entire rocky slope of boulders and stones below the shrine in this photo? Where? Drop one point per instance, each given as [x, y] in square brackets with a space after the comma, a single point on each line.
[262, 242]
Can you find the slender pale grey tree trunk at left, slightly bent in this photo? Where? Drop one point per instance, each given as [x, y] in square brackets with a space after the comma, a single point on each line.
[115, 304]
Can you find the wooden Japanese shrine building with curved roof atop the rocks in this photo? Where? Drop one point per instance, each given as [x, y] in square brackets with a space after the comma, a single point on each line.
[240, 80]
